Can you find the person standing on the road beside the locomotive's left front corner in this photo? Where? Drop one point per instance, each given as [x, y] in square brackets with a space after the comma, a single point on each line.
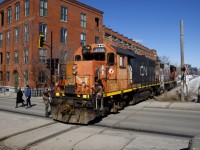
[47, 99]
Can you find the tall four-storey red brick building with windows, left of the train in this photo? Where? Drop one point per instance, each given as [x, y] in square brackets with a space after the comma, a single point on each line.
[21, 21]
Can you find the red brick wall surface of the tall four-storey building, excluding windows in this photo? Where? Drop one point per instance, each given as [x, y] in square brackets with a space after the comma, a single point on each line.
[54, 24]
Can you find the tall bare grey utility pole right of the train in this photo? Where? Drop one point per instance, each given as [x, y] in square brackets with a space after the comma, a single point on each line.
[182, 61]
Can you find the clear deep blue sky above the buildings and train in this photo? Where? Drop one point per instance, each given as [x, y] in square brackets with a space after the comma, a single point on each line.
[156, 25]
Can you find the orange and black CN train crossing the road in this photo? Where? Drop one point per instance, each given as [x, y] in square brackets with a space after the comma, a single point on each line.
[126, 77]
